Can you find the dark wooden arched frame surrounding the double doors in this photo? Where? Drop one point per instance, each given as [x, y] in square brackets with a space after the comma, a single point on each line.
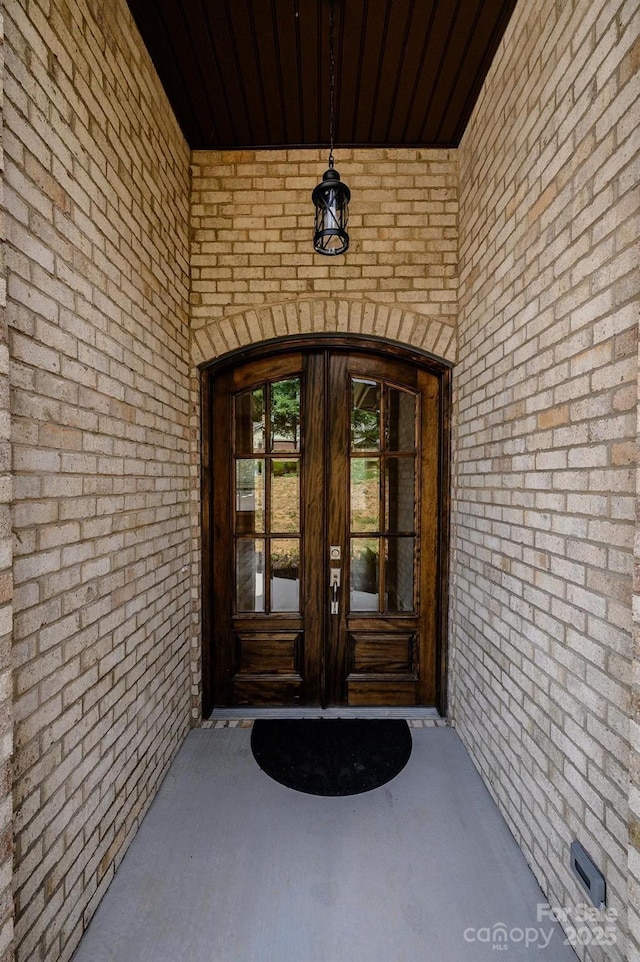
[376, 346]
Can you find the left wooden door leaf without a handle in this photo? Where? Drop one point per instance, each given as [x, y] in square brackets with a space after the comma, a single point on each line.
[265, 644]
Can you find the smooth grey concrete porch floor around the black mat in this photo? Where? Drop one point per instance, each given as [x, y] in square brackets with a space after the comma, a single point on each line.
[229, 866]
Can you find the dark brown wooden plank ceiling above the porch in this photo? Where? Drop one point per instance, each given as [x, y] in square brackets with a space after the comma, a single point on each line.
[255, 73]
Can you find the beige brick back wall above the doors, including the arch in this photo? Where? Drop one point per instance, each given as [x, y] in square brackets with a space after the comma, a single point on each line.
[254, 273]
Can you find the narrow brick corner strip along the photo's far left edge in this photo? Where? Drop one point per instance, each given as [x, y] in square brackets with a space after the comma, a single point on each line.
[6, 592]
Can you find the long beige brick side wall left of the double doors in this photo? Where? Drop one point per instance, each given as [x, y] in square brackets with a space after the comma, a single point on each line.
[97, 182]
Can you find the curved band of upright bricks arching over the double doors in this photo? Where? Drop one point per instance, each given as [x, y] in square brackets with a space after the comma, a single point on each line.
[324, 316]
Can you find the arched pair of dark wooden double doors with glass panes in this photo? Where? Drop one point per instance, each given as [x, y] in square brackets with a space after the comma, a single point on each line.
[325, 531]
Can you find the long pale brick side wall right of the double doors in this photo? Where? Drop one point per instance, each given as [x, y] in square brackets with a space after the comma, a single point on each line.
[544, 447]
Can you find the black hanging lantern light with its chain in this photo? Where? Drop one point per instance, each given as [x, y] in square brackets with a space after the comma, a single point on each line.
[331, 197]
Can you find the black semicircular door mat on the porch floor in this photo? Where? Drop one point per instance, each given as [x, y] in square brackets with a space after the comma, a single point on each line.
[331, 756]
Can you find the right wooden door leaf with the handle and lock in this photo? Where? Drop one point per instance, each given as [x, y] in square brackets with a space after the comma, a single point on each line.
[376, 455]
